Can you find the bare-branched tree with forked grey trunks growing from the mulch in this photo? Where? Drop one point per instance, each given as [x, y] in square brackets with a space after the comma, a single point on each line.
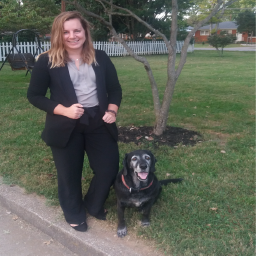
[161, 109]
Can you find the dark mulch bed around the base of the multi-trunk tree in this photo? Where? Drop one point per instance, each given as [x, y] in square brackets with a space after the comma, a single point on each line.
[172, 136]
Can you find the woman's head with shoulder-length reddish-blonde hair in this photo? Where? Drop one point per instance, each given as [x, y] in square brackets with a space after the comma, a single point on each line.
[71, 39]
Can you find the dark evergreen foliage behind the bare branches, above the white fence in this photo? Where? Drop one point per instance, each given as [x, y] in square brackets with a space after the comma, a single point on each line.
[155, 13]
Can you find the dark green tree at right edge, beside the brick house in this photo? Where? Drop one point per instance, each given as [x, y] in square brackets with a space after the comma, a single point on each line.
[246, 22]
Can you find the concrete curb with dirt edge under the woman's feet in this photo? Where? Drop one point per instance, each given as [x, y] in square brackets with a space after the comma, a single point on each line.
[100, 239]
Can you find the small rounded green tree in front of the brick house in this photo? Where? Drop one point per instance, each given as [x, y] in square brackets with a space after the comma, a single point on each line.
[219, 41]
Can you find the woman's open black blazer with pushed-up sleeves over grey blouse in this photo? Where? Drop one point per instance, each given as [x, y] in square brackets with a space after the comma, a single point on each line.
[59, 128]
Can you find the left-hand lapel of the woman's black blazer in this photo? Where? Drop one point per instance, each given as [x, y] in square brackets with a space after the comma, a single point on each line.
[67, 84]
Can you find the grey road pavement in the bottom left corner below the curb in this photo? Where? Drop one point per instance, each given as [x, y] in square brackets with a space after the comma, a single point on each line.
[19, 238]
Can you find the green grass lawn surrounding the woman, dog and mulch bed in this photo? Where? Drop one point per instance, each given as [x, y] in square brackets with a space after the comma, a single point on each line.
[212, 211]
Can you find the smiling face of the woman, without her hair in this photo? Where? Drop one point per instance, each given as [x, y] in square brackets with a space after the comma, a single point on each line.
[73, 35]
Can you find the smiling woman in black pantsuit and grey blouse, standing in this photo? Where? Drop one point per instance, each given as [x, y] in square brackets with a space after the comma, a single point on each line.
[85, 95]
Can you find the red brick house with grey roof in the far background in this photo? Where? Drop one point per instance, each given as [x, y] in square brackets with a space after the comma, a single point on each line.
[228, 26]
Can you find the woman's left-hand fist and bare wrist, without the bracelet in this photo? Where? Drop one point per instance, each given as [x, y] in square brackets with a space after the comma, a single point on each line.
[75, 111]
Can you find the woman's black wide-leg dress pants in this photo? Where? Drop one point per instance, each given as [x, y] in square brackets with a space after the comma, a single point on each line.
[103, 155]
